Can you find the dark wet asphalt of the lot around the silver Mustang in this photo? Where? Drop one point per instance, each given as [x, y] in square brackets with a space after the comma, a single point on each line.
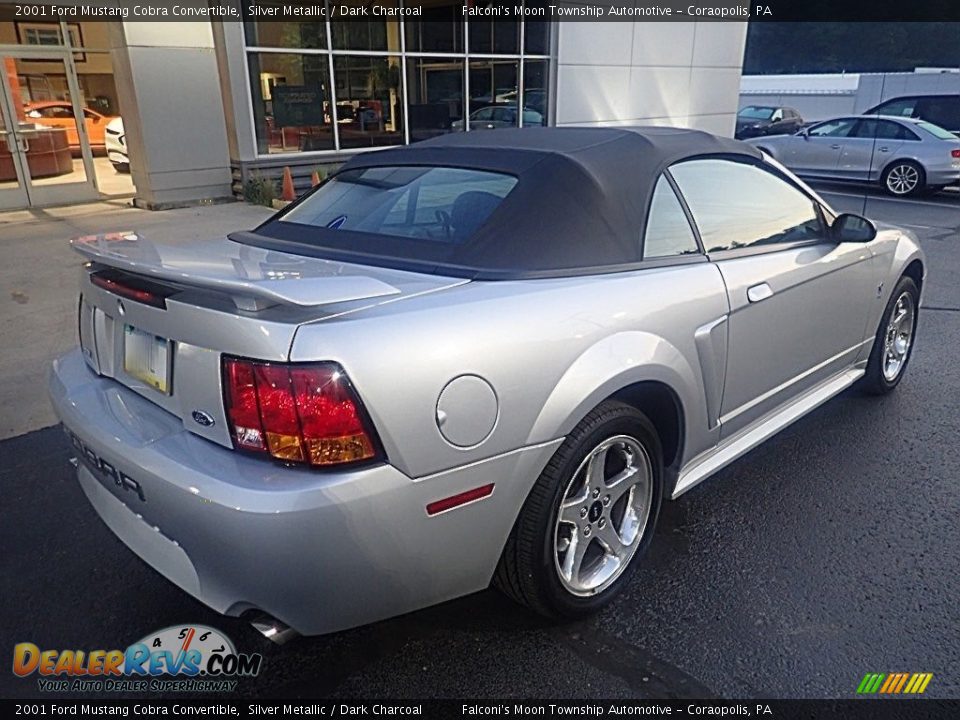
[828, 552]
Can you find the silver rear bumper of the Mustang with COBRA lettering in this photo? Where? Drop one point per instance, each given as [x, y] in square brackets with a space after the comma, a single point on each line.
[320, 551]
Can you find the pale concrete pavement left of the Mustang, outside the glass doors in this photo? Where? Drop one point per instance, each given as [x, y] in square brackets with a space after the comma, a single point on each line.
[38, 287]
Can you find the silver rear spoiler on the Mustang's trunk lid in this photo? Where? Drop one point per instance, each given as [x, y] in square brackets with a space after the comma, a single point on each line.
[254, 278]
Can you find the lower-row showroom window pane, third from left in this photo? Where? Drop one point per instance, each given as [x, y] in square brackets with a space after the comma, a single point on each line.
[435, 96]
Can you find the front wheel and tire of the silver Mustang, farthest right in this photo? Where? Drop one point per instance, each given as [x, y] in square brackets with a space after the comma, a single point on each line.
[893, 344]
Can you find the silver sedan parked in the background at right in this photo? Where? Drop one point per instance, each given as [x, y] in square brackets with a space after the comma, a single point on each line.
[905, 156]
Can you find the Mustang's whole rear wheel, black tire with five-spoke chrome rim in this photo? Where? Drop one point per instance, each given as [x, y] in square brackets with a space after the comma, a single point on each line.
[589, 517]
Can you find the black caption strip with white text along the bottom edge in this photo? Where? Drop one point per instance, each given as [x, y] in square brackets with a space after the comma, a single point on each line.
[866, 709]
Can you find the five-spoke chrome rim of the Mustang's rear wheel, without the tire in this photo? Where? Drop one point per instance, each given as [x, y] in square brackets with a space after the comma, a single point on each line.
[603, 513]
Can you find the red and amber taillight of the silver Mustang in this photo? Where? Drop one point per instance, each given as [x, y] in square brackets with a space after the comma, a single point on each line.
[296, 413]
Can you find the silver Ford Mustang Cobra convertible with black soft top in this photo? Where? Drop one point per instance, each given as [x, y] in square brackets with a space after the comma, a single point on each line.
[484, 358]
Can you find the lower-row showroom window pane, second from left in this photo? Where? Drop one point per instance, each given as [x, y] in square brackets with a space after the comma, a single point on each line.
[369, 100]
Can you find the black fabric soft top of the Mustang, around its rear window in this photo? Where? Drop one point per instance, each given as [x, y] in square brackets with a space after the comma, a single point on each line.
[579, 205]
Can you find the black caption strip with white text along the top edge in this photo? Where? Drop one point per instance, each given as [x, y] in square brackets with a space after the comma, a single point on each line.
[489, 10]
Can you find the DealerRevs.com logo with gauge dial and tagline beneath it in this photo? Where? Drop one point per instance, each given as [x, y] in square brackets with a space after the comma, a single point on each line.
[182, 658]
